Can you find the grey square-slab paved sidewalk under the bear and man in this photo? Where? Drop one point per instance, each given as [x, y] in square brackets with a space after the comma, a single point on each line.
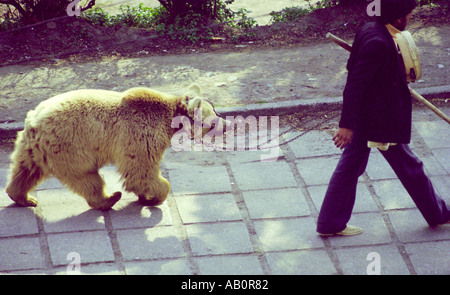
[230, 213]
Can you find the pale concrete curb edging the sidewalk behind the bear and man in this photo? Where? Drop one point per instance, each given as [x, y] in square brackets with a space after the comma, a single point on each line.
[279, 108]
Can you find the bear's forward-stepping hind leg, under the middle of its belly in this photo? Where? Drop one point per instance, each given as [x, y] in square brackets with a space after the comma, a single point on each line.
[91, 187]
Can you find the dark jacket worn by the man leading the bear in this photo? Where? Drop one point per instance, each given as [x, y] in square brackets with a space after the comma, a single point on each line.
[377, 101]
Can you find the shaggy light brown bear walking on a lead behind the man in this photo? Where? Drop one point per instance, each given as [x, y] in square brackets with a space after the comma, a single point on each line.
[72, 135]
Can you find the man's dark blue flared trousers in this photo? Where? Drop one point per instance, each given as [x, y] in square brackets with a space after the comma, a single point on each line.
[340, 196]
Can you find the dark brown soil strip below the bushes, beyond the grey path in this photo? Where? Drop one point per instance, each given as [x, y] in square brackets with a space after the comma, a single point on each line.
[76, 39]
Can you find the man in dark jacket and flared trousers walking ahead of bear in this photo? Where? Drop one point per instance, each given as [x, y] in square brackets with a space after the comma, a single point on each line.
[376, 113]
